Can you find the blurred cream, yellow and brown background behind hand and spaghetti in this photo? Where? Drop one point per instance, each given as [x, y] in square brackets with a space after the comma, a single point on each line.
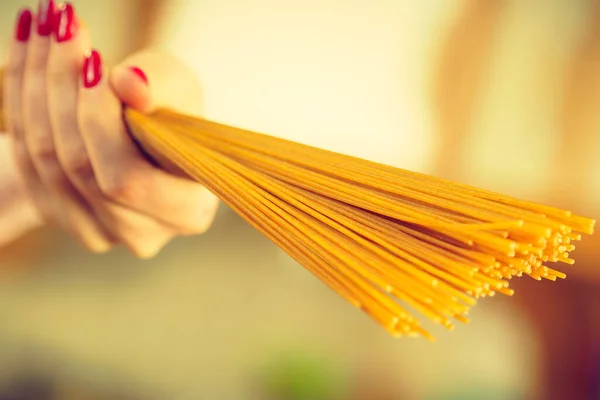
[502, 94]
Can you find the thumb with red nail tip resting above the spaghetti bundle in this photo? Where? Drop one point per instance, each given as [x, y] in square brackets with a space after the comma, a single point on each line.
[149, 80]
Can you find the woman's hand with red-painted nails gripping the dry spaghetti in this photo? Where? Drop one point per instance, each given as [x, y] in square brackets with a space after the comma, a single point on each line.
[81, 169]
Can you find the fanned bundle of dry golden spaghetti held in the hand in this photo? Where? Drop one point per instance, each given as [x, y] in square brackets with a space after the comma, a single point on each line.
[386, 239]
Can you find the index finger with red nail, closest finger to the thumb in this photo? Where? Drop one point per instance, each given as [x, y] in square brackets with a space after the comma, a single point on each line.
[122, 172]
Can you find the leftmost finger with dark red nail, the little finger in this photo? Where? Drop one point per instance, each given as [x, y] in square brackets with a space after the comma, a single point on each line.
[13, 116]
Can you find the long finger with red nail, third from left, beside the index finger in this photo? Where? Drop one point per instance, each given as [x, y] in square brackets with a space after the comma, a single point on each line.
[142, 235]
